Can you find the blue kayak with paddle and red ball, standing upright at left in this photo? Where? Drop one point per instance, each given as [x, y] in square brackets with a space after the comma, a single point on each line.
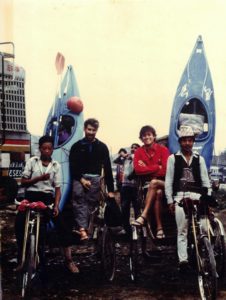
[66, 127]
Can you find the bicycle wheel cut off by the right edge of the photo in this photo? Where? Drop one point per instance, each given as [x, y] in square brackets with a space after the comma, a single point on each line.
[219, 249]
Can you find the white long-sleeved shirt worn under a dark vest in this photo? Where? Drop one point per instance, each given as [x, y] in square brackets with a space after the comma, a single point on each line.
[170, 176]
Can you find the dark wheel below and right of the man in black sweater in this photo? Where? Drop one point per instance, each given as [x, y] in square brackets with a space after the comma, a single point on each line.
[108, 255]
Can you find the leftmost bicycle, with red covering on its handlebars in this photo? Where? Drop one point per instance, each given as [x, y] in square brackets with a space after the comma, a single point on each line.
[30, 257]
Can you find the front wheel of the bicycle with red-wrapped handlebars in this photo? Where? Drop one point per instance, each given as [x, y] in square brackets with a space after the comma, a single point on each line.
[29, 267]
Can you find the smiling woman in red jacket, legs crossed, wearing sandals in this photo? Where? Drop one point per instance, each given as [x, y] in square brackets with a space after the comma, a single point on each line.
[151, 160]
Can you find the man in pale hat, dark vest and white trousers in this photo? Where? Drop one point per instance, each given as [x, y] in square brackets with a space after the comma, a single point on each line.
[184, 167]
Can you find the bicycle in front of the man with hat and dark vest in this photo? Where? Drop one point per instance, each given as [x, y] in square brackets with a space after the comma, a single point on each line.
[199, 246]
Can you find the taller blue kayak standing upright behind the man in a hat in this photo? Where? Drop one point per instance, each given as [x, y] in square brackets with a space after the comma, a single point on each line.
[194, 105]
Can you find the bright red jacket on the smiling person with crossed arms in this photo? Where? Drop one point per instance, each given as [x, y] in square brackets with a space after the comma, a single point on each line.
[153, 158]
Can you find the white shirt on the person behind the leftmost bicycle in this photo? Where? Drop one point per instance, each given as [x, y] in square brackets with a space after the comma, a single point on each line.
[34, 168]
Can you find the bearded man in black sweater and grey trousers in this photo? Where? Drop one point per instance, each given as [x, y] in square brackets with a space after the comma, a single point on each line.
[87, 158]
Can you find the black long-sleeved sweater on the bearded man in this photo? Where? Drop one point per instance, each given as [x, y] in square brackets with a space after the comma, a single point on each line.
[89, 158]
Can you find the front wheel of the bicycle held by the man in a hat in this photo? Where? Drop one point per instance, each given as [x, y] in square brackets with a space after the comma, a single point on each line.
[207, 275]
